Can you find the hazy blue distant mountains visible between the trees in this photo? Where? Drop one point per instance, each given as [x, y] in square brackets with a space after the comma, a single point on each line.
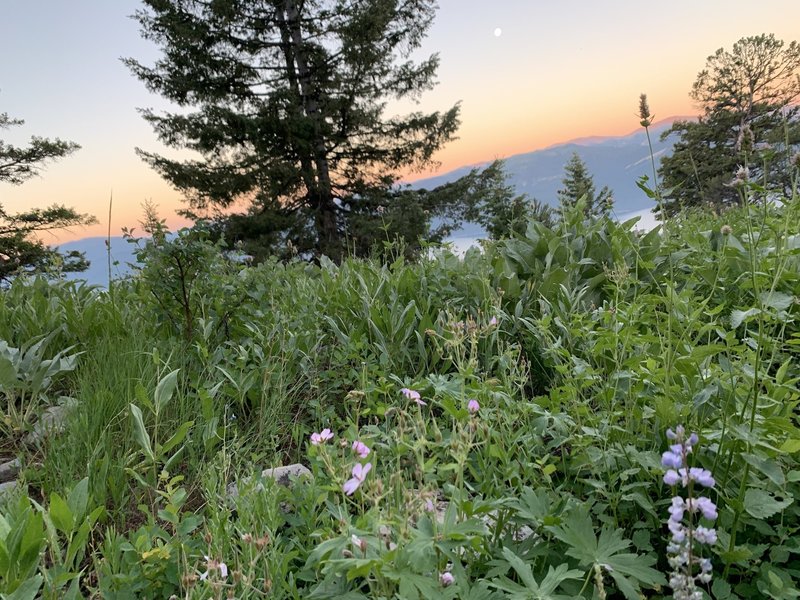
[617, 162]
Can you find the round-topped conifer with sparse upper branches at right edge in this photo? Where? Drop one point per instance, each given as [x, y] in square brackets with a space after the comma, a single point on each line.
[748, 98]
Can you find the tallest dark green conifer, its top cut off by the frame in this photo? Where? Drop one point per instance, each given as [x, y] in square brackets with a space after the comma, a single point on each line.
[286, 102]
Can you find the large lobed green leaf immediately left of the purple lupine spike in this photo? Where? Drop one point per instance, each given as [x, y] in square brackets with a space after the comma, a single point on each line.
[627, 569]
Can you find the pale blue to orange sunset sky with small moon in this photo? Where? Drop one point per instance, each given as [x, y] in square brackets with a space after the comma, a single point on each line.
[529, 74]
